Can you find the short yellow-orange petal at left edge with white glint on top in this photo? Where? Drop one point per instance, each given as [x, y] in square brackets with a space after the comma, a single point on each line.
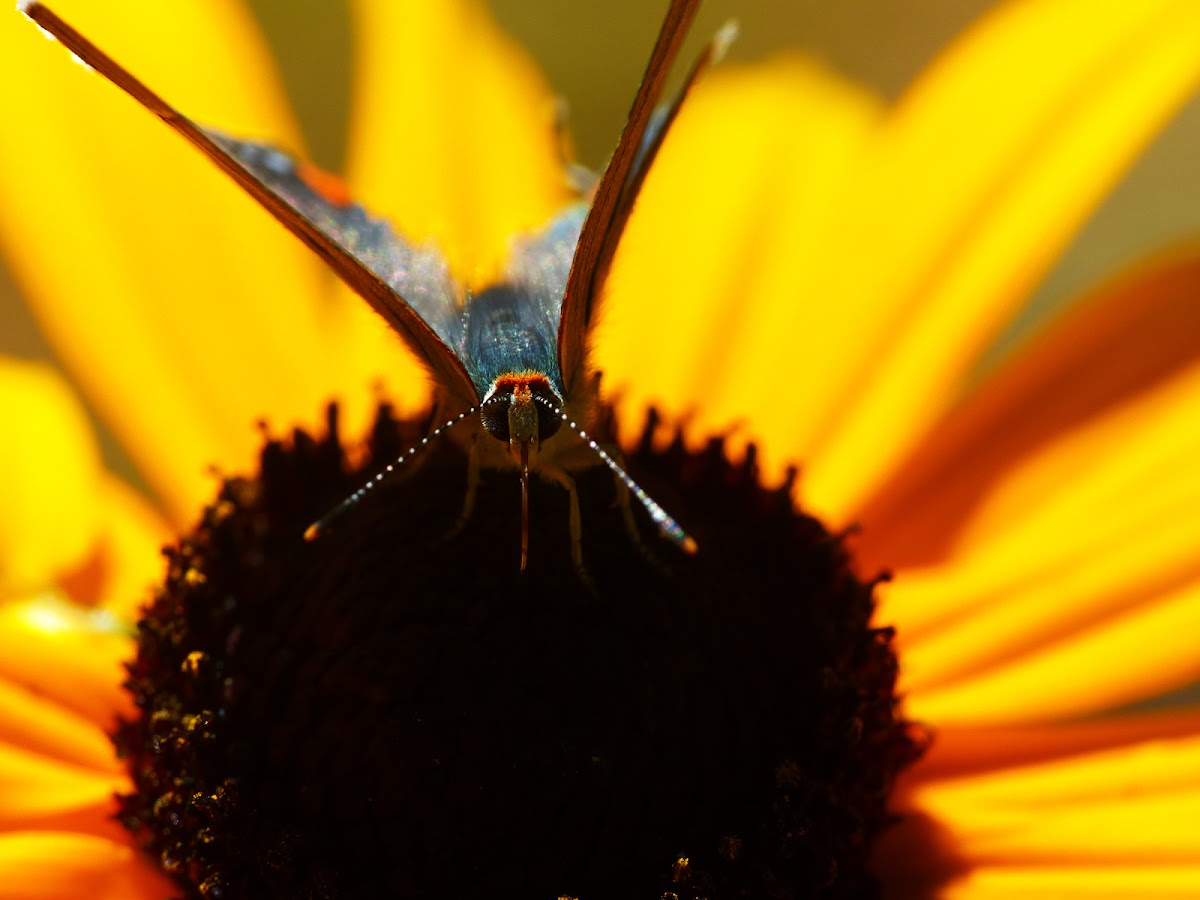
[71, 656]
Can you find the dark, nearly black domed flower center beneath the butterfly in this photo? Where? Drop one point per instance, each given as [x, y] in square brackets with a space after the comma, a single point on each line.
[395, 711]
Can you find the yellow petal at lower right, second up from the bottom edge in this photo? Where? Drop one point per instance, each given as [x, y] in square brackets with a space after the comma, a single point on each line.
[1132, 806]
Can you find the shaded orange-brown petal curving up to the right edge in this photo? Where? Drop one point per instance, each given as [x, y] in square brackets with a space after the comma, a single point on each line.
[1130, 337]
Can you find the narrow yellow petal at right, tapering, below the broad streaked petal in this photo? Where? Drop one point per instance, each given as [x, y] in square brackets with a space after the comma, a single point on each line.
[1137, 655]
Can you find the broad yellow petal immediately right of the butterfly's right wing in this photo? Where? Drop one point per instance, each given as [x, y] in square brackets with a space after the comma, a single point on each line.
[710, 308]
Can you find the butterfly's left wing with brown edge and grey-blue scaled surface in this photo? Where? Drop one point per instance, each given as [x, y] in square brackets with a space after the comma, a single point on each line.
[353, 233]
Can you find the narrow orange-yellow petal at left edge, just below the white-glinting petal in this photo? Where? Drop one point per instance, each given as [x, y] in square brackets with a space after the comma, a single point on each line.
[44, 727]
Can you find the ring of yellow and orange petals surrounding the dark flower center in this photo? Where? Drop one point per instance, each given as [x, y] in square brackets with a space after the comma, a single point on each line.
[1040, 519]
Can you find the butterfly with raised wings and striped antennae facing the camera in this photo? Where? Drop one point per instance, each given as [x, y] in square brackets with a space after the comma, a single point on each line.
[514, 352]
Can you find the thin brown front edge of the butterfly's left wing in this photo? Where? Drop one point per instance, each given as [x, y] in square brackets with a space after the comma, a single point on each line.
[446, 368]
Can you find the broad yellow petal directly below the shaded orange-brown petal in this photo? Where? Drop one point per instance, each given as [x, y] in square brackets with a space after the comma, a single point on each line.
[1095, 524]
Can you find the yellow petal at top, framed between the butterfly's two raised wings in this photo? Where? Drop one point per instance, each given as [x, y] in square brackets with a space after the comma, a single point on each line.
[453, 136]
